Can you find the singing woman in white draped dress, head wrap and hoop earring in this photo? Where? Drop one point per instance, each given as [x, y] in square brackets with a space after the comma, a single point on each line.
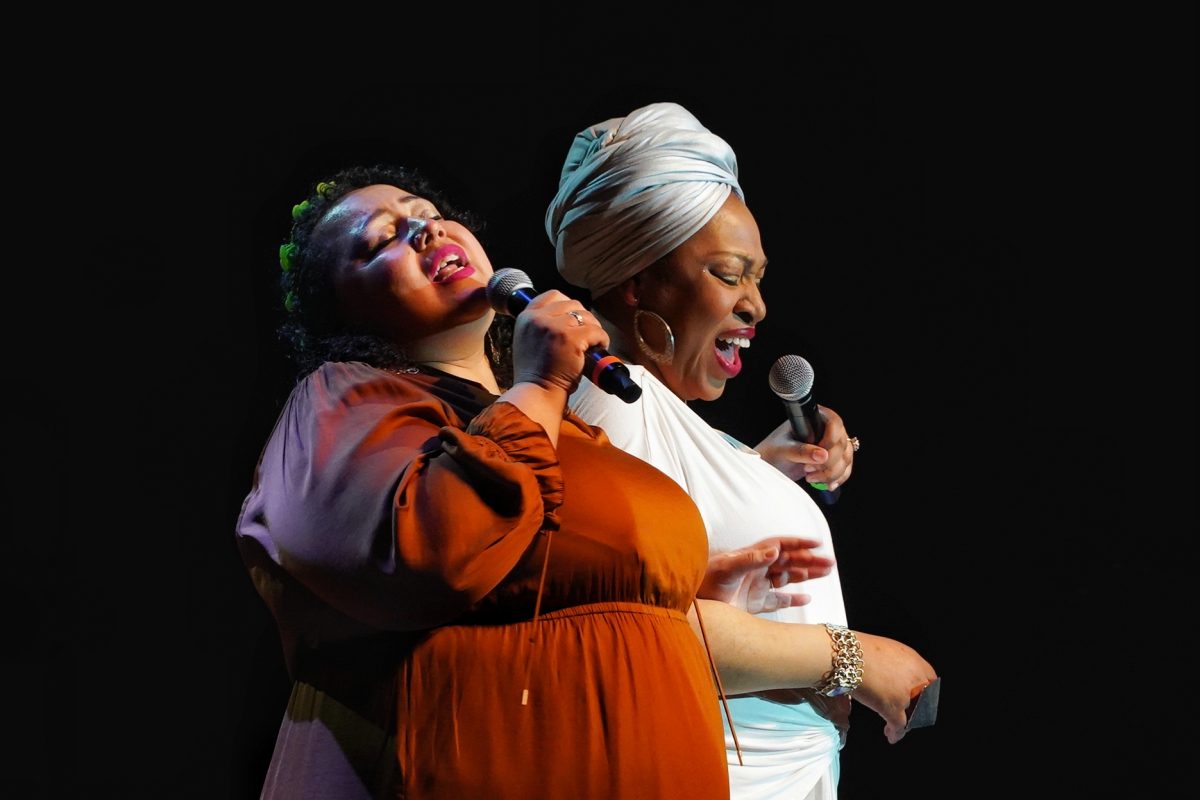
[650, 219]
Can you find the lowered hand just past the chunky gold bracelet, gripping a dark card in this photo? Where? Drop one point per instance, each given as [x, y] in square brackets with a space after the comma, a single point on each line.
[893, 675]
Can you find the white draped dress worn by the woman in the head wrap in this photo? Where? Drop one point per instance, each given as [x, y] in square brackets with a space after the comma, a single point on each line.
[789, 749]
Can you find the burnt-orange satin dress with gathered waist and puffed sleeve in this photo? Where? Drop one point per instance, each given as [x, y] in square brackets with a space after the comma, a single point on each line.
[404, 531]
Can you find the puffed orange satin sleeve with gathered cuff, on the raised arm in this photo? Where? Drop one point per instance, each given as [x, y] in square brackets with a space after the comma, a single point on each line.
[371, 496]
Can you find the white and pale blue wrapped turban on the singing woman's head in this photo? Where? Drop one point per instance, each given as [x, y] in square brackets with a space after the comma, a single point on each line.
[633, 190]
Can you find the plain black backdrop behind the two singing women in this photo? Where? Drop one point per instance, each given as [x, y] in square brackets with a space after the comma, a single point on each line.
[982, 236]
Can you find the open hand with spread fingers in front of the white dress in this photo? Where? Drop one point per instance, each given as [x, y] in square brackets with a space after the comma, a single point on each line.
[751, 576]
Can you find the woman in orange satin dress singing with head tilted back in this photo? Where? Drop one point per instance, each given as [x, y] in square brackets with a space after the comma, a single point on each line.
[478, 596]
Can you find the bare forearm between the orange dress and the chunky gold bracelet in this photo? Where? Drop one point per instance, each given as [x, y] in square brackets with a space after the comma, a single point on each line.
[754, 654]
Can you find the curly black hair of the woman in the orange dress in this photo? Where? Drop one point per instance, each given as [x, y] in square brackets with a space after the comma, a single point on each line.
[314, 330]
